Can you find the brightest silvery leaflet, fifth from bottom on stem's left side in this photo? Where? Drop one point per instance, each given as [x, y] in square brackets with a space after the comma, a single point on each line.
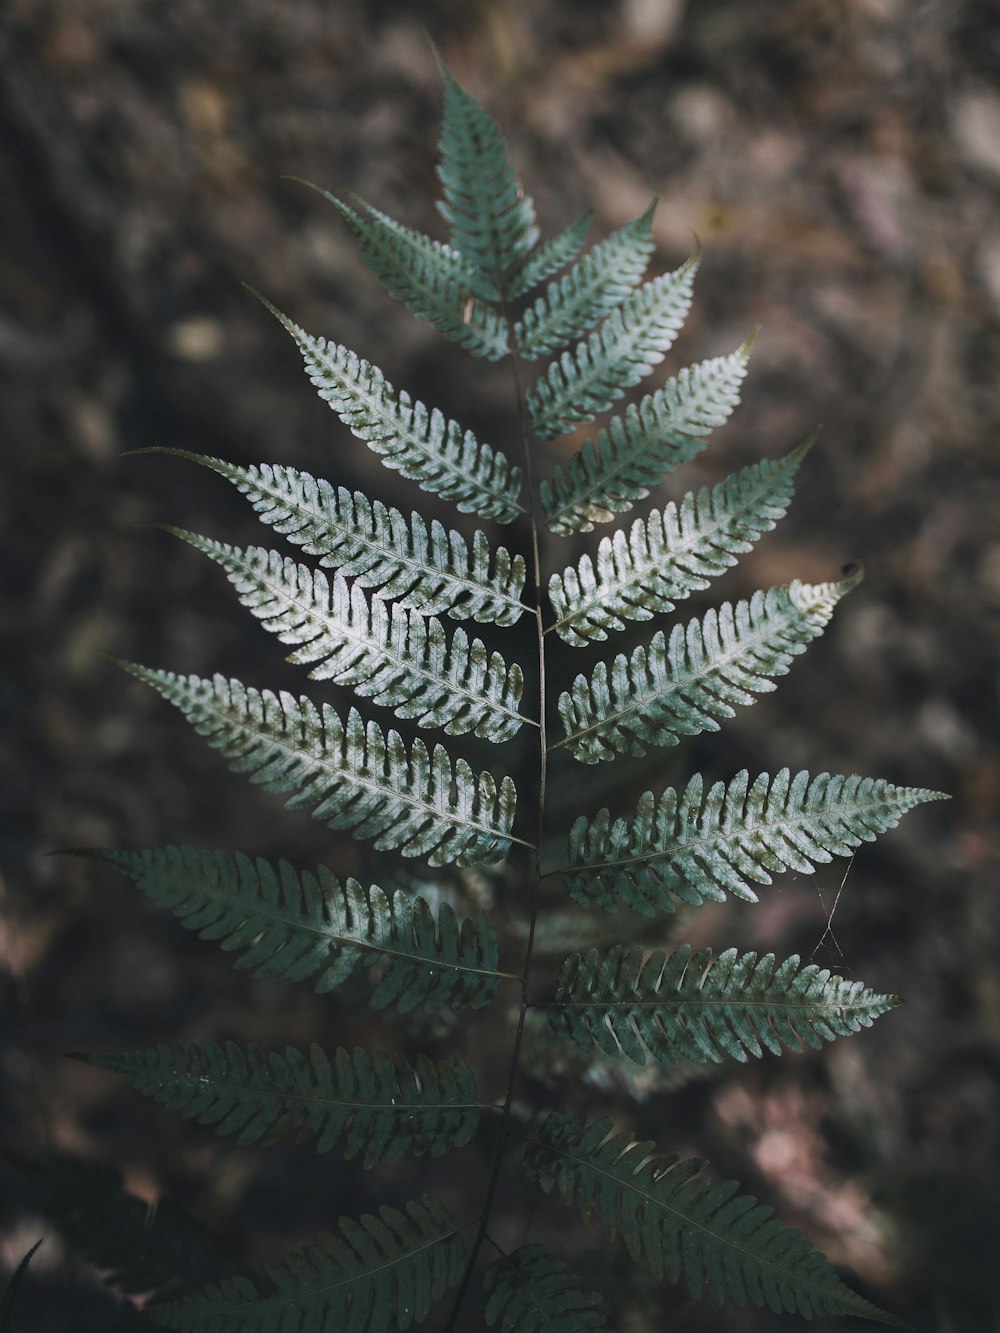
[390, 655]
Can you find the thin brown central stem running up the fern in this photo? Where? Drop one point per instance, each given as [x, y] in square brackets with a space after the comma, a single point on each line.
[537, 855]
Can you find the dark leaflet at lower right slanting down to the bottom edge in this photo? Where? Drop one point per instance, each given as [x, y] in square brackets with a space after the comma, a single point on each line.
[677, 1223]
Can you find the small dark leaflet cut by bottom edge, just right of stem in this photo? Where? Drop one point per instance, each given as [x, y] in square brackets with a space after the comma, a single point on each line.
[534, 1292]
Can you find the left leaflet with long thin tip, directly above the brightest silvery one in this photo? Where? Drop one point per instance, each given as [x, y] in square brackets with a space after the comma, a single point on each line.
[429, 569]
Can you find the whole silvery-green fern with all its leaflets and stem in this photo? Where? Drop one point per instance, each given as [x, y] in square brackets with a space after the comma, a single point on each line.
[621, 1020]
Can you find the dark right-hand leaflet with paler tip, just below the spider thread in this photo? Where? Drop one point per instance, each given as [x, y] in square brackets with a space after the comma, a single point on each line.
[679, 1007]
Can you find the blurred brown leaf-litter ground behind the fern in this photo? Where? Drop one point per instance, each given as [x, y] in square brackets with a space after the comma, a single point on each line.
[841, 165]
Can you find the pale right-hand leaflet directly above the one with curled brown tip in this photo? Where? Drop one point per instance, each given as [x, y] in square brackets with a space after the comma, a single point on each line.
[671, 554]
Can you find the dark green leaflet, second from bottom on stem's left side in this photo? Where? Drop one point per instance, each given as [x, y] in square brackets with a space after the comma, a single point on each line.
[377, 1104]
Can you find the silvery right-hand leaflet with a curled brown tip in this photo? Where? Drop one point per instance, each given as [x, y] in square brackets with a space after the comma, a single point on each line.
[679, 687]
